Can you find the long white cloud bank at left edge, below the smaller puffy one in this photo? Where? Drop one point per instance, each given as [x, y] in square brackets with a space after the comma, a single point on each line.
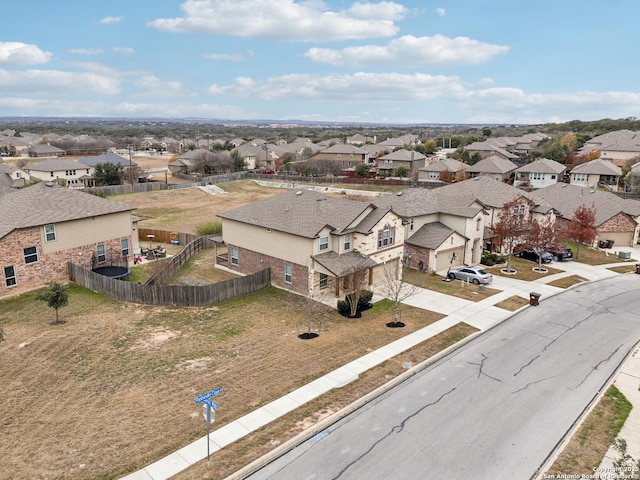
[50, 82]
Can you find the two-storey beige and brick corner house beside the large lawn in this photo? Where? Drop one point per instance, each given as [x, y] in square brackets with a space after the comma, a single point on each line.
[313, 243]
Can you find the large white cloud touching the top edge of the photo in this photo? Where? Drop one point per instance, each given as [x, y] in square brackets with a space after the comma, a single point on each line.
[285, 20]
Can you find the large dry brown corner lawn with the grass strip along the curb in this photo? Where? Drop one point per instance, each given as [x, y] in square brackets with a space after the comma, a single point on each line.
[120, 377]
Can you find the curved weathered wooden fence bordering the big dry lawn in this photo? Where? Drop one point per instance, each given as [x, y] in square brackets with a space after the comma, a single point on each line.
[178, 295]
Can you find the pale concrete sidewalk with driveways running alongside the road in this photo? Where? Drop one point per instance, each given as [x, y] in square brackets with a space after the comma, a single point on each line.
[482, 315]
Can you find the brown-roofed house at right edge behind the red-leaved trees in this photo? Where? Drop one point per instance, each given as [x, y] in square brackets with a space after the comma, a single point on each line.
[617, 219]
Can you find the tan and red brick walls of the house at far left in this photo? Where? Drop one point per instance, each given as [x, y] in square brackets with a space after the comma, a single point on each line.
[49, 267]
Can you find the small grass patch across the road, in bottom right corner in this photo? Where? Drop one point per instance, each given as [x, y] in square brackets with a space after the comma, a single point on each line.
[599, 430]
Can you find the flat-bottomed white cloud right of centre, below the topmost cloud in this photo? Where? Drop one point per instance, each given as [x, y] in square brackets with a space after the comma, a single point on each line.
[412, 51]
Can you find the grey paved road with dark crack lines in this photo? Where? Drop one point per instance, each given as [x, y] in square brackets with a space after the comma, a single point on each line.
[495, 408]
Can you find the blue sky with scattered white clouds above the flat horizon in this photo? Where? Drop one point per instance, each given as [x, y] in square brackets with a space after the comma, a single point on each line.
[393, 62]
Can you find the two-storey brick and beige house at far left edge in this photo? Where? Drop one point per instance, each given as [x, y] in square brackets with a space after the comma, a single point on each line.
[44, 226]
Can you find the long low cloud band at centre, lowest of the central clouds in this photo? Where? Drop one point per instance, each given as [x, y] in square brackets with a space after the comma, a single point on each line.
[358, 87]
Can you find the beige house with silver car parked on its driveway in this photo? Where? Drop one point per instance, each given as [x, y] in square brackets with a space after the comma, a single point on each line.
[441, 230]
